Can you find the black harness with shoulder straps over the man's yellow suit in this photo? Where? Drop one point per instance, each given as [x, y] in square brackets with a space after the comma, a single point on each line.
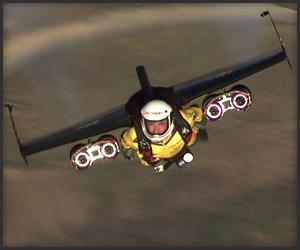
[134, 105]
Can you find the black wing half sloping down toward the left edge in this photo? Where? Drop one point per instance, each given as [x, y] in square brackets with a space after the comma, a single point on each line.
[98, 124]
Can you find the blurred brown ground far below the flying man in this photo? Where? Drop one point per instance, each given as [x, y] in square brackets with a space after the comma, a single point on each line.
[66, 62]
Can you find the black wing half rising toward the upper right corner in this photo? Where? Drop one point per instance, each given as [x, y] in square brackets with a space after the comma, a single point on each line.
[192, 89]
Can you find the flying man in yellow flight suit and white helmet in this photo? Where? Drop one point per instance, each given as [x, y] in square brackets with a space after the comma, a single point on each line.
[163, 135]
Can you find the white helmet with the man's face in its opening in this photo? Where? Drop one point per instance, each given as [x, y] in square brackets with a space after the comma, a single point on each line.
[158, 114]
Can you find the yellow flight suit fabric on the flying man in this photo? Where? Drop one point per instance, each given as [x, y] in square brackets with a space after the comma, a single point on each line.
[171, 145]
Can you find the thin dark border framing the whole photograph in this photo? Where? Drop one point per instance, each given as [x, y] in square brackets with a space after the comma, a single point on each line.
[282, 2]
